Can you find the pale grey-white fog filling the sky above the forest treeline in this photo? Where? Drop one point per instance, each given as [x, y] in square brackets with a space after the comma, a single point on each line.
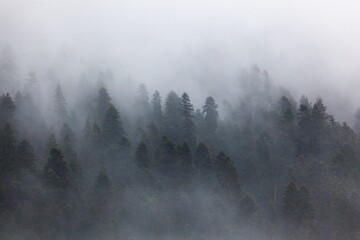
[308, 46]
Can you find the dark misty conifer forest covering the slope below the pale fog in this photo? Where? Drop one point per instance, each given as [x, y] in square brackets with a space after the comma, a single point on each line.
[118, 162]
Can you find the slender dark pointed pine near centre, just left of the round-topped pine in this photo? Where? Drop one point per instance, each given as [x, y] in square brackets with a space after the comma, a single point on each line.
[189, 133]
